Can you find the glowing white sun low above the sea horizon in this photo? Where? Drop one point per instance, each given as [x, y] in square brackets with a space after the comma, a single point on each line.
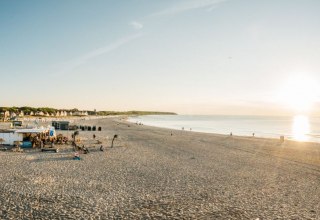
[299, 93]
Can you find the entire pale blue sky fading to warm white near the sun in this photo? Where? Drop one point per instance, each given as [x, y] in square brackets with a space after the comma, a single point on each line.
[186, 56]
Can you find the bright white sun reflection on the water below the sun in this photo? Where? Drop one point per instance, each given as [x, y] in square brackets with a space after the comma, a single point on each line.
[300, 128]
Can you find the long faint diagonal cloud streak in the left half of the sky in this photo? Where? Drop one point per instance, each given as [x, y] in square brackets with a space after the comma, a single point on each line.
[72, 64]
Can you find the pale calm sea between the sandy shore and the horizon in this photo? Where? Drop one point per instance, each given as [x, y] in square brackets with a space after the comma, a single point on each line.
[299, 127]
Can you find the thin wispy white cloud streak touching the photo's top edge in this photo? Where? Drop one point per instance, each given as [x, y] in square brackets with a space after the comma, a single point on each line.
[189, 5]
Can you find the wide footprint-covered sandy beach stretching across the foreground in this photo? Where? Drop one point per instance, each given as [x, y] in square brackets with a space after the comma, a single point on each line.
[149, 174]
